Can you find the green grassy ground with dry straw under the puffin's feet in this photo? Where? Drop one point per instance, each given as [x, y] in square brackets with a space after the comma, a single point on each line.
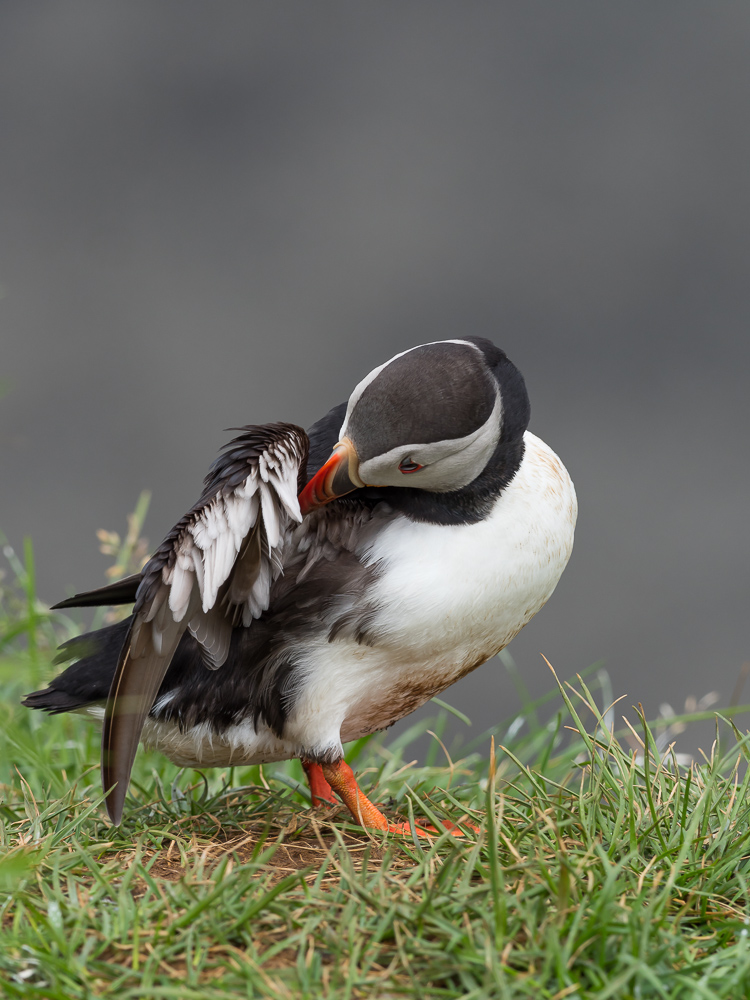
[599, 869]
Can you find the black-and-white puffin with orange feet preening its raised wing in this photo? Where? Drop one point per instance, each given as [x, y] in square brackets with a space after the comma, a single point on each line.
[326, 584]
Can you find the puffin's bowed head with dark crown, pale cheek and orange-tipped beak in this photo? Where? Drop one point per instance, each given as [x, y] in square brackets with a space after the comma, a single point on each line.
[429, 419]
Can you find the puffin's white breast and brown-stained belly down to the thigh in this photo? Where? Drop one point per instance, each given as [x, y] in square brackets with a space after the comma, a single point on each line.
[448, 597]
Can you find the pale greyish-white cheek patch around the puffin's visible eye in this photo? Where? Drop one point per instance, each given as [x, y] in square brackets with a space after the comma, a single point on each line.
[448, 465]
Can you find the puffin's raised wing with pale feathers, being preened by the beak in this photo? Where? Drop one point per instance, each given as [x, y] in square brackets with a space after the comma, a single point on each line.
[213, 571]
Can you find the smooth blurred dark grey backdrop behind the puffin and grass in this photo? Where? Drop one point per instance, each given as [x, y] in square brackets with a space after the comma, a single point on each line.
[217, 214]
